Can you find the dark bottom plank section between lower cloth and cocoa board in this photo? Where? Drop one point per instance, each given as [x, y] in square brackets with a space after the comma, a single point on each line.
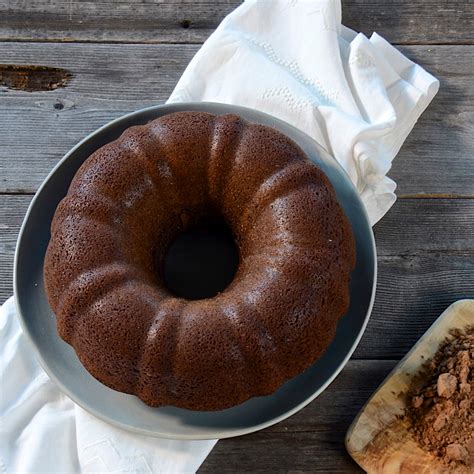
[311, 440]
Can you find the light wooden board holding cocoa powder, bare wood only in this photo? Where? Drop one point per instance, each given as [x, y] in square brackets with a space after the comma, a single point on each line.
[379, 439]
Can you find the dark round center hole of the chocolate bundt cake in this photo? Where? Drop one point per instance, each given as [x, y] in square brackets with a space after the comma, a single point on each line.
[202, 260]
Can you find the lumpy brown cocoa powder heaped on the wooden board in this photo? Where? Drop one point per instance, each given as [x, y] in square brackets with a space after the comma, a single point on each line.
[441, 405]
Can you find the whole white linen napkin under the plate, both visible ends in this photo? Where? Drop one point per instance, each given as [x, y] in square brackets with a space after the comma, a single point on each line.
[358, 98]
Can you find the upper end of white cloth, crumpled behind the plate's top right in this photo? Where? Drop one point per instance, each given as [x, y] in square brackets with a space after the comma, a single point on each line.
[356, 97]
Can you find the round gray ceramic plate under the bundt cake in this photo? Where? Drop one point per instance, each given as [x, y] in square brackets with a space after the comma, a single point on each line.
[59, 359]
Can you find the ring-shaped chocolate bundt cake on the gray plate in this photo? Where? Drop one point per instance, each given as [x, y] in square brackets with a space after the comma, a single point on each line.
[122, 211]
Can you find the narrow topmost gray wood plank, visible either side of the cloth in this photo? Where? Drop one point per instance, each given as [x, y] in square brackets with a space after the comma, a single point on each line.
[400, 21]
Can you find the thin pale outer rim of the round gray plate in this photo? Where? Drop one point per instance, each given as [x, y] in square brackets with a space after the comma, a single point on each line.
[232, 432]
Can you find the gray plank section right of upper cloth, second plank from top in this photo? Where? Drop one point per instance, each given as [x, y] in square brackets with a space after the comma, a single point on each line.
[437, 156]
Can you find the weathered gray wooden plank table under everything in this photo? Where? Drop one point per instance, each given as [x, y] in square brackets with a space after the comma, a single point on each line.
[123, 55]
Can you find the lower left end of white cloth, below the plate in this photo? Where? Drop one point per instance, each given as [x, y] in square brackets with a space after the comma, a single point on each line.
[42, 430]
